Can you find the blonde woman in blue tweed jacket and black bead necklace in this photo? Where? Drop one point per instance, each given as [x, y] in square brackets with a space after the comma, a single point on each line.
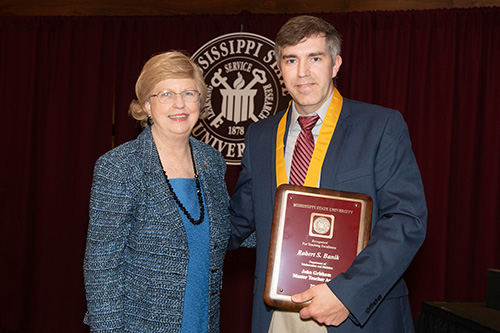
[159, 222]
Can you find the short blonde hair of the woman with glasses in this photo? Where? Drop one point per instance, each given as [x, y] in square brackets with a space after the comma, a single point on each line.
[164, 66]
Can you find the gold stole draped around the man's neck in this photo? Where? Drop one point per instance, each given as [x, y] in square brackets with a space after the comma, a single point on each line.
[319, 153]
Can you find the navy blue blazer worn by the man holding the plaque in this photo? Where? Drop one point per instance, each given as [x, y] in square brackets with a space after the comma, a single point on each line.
[370, 152]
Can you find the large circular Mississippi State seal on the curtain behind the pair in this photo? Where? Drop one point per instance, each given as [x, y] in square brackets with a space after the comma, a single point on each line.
[244, 86]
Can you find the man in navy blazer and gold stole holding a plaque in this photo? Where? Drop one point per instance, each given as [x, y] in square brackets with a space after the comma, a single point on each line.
[367, 151]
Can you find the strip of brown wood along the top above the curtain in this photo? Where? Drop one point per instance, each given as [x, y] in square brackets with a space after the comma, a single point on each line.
[195, 7]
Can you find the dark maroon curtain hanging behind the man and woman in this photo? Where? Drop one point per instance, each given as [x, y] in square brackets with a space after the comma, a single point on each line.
[66, 83]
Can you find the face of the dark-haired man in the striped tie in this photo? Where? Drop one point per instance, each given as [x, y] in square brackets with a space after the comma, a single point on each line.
[308, 70]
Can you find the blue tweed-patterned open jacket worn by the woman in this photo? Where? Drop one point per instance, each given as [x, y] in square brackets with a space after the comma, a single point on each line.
[137, 255]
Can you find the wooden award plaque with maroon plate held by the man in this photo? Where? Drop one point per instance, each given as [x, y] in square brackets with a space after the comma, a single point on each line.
[316, 234]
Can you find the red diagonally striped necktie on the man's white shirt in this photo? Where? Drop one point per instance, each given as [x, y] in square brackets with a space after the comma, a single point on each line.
[303, 150]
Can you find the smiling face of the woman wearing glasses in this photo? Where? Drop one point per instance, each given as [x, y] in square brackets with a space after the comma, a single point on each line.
[179, 112]
